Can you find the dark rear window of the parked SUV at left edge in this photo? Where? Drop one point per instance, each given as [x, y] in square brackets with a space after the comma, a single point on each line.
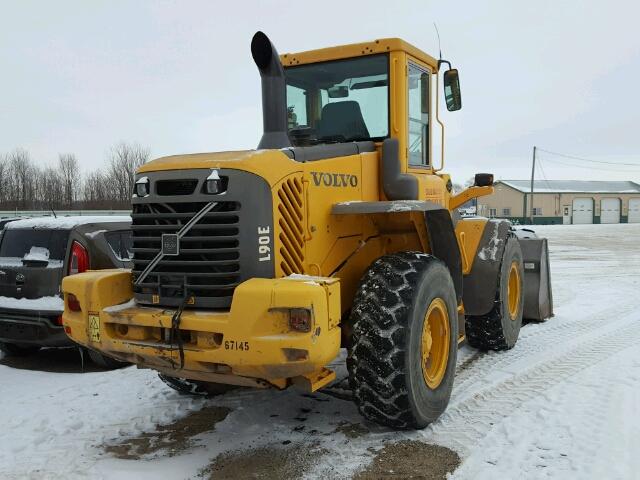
[17, 243]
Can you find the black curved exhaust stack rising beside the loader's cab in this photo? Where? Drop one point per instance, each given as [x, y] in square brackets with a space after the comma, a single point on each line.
[274, 96]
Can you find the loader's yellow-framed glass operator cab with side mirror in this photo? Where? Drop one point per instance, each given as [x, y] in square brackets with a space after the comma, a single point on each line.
[350, 94]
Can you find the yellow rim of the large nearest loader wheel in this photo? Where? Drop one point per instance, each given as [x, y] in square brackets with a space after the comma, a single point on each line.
[435, 343]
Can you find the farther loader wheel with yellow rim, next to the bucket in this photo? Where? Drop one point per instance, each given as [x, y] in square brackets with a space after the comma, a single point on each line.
[499, 329]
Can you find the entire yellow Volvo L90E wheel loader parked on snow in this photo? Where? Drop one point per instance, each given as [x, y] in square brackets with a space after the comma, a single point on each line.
[254, 268]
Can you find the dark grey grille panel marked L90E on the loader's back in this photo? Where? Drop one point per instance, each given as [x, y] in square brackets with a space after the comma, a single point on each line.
[223, 249]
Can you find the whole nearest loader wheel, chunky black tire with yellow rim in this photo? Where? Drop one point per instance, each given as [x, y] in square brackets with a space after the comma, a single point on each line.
[403, 352]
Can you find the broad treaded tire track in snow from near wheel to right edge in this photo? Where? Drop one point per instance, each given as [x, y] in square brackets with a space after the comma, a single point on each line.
[463, 425]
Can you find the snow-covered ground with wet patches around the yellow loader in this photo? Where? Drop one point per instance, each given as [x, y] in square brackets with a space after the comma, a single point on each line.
[564, 403]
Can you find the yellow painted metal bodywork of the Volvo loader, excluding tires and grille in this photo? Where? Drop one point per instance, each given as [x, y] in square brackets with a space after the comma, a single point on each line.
[308, 240]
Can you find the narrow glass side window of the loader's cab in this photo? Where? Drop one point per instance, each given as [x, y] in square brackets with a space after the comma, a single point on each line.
[418, 122]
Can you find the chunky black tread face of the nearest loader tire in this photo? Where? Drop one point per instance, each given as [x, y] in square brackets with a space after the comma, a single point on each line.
[376, 357]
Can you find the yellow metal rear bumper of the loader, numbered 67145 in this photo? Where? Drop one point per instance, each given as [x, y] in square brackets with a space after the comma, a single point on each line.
[251, 344]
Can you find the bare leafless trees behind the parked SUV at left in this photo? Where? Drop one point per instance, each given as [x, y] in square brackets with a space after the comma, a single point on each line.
[24, 185]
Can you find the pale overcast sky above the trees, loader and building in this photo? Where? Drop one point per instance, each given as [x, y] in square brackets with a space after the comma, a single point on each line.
[178, 76]
